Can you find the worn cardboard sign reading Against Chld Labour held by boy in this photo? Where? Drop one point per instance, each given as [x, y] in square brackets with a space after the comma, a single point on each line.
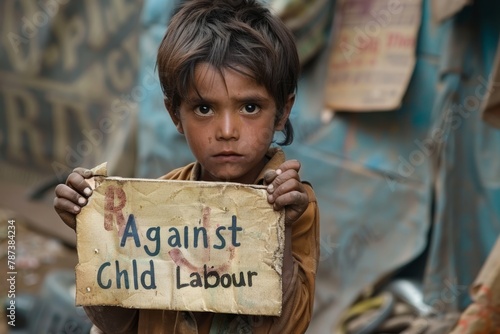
[180, 245]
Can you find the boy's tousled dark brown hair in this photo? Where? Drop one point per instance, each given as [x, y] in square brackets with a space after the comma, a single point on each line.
[228, 34]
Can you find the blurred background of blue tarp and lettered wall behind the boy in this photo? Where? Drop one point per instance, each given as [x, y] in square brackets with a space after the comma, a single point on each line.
[397, 123]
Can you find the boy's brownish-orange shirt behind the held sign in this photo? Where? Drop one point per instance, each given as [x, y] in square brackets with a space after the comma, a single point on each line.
[298, 297]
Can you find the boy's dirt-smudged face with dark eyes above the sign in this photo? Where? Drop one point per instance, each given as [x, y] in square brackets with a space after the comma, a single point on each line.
[229, 125]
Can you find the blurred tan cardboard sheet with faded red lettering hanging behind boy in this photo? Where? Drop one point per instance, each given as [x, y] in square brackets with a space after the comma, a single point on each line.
[374, 55]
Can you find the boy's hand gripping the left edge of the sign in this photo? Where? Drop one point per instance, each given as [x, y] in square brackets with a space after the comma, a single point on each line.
[72, 196]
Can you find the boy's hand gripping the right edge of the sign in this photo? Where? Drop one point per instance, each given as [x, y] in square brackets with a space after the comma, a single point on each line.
[286, 191]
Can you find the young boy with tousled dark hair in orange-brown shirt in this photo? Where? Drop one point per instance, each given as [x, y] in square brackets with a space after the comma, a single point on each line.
[229, 71]
